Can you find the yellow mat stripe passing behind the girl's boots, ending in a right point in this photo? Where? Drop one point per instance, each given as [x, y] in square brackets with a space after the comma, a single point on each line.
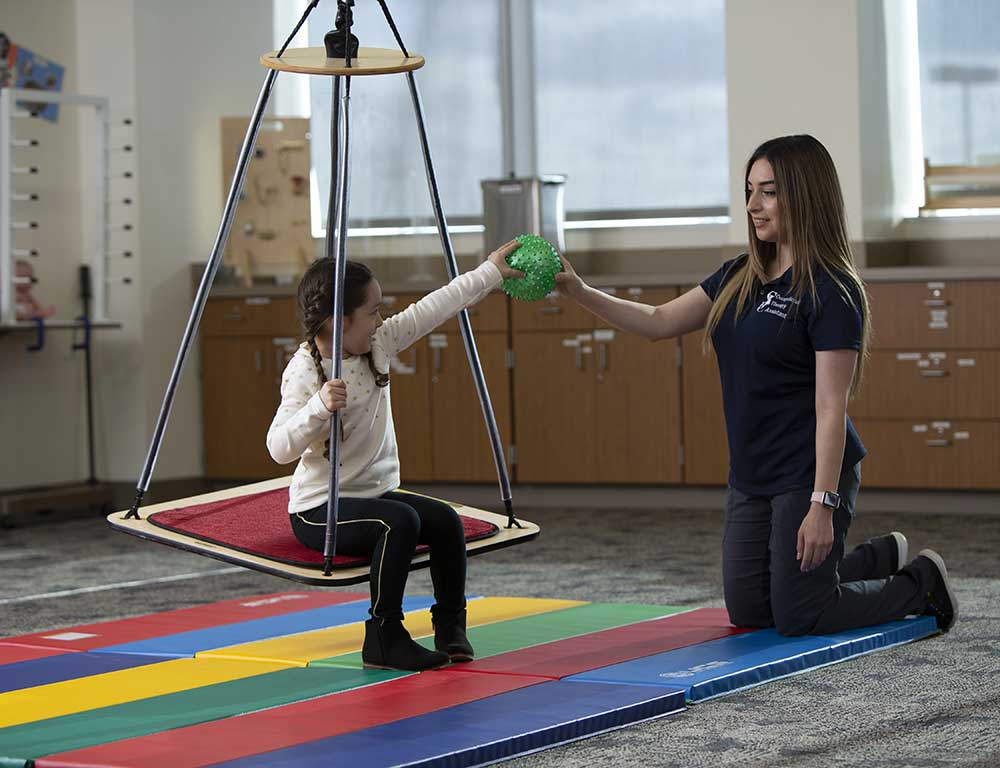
[300, 649]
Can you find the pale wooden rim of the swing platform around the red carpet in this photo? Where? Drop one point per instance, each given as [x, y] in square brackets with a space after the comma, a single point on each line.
[314, 576]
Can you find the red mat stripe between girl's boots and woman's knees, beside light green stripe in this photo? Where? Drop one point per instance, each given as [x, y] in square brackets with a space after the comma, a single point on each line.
[575, 655]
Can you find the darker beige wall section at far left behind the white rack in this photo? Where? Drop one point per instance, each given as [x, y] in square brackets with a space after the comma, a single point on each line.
[41, 410]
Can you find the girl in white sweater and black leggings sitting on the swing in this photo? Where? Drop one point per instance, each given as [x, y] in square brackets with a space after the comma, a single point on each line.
[374, 520]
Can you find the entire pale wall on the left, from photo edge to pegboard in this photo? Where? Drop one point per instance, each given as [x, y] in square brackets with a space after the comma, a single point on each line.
[177, 68]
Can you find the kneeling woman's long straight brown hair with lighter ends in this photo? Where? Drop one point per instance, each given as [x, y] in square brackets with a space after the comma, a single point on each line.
[811, 216]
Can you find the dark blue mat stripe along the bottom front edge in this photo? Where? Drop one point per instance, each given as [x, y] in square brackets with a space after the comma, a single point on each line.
[484, 731]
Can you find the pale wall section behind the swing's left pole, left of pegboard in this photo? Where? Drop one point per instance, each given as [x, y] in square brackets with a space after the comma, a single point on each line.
[196, 63]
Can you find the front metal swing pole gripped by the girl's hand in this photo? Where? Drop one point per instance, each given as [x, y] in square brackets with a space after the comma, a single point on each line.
[336, 248]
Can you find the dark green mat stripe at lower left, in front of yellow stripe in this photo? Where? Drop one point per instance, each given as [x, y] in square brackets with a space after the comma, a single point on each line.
[176, 710]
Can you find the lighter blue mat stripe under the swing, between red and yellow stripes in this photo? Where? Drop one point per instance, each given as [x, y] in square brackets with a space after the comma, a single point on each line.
[187, 644]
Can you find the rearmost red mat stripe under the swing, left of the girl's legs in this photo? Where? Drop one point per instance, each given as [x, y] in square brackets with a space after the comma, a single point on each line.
[184, 620]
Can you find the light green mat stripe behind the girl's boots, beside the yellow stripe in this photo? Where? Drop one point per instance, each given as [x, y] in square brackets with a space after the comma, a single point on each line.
[515, 634]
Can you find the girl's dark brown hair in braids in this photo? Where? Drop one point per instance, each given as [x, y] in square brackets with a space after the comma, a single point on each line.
[315, 307]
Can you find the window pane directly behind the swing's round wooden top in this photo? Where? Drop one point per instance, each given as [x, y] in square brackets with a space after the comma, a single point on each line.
[460, 89]
